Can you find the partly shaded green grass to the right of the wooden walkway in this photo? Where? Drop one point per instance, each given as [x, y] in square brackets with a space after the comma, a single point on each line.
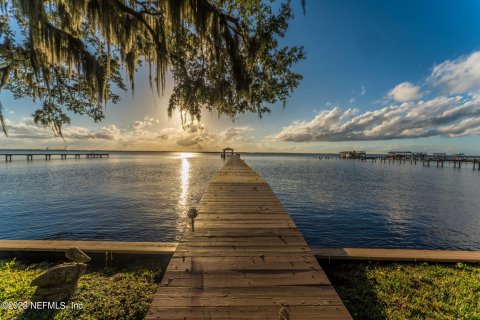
[375, 290]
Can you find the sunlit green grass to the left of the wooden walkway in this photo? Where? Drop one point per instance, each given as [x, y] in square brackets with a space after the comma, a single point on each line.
[103, 294]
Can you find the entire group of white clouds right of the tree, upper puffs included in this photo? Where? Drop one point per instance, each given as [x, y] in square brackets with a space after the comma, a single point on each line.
[456, 113]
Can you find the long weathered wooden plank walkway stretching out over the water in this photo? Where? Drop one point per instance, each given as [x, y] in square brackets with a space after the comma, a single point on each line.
[245, 260]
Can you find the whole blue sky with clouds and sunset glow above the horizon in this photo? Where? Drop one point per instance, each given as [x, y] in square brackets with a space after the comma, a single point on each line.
[379, 76]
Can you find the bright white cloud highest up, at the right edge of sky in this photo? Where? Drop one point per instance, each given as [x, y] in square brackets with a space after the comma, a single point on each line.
[458, 76]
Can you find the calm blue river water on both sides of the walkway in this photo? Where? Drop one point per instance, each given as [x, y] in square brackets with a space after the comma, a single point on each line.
[335, 203]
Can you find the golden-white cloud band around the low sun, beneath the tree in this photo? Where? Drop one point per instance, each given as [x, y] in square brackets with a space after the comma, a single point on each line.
[143, 134]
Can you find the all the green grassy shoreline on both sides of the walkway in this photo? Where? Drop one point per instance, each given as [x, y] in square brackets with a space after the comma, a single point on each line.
[370, 290]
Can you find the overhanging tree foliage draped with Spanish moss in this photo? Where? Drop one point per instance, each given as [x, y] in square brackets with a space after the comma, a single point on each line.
[223, 54]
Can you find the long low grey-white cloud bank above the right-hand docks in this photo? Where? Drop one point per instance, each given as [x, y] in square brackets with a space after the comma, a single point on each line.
[445, 116]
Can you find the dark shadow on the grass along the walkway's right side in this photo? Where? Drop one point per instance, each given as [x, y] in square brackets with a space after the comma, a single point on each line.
[355, 288]
